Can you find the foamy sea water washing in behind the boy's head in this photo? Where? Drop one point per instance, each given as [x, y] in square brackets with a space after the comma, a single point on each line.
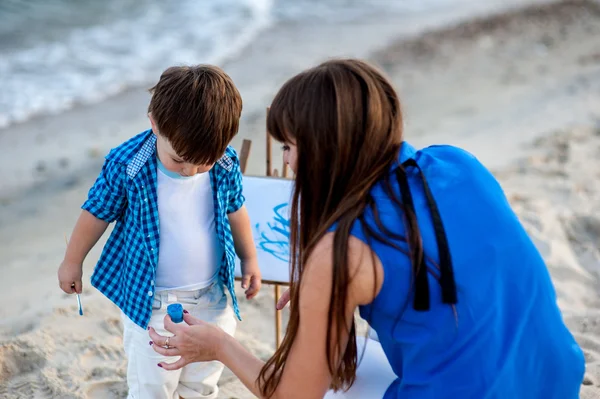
[55, 54]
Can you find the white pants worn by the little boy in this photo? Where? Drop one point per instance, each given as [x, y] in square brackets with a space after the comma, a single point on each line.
[197, 380]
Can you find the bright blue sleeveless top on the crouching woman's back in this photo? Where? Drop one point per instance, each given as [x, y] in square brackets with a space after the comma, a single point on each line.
[505, 338]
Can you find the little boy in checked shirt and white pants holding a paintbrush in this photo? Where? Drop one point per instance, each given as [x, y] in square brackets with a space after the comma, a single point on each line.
[175, 193]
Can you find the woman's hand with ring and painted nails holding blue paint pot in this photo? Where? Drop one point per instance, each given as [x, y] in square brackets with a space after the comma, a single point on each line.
[196, 341]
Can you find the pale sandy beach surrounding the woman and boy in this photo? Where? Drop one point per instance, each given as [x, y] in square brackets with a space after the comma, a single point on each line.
[520, 90]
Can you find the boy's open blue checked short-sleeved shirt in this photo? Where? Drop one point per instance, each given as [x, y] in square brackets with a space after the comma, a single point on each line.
[125, 192]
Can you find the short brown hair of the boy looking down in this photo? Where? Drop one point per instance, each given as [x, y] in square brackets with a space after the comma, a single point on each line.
[197, 109]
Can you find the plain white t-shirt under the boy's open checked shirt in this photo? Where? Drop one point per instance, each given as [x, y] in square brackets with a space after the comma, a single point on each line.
[189, 253]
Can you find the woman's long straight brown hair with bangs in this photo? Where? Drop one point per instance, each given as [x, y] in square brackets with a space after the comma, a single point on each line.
[345, 118]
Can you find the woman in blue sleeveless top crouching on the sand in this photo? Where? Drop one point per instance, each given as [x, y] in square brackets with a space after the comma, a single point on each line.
[423, 242]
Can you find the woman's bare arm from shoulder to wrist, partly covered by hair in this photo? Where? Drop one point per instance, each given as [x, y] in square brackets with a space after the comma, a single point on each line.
[306, 374]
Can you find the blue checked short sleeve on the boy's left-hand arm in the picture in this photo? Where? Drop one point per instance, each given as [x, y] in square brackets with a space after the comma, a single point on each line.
[107, 198]
